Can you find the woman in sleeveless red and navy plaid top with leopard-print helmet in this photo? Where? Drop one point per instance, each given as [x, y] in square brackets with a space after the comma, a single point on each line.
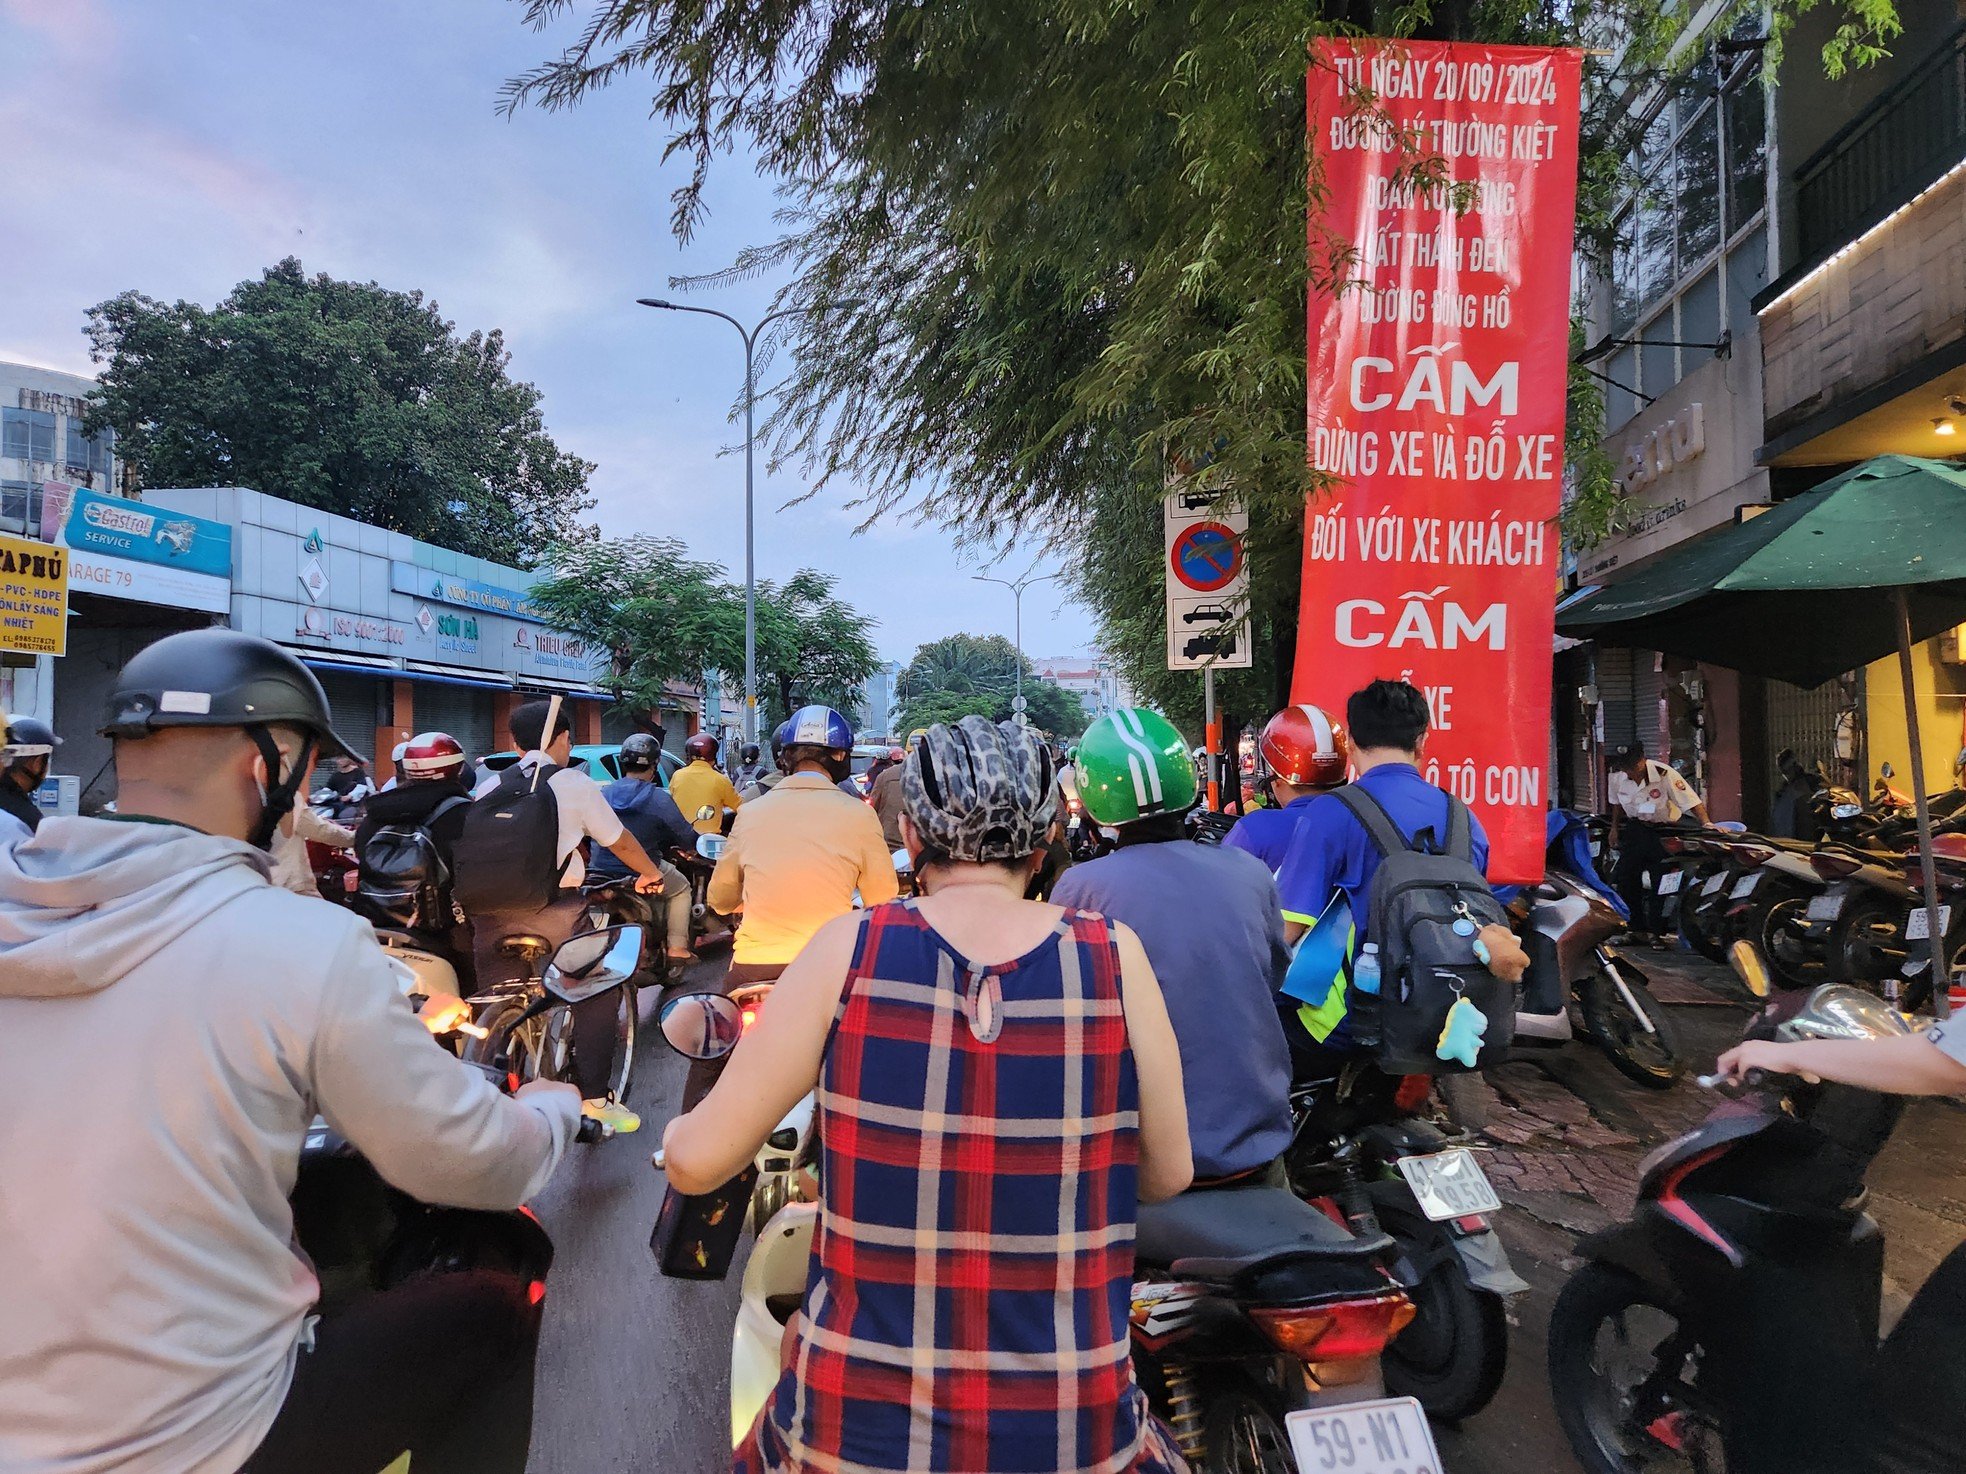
[998, 1092]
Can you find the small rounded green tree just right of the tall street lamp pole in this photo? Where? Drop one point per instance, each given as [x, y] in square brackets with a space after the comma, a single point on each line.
[811, 646]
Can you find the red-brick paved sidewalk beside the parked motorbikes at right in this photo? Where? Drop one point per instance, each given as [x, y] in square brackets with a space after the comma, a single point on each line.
[1570, 1133]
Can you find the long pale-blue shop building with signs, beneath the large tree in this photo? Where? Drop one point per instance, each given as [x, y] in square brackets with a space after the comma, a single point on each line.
[404, 636]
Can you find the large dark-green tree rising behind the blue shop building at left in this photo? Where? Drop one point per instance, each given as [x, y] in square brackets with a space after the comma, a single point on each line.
[339, 396]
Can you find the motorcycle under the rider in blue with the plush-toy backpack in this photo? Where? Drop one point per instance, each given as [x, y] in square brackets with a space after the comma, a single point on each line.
[1363, 1155]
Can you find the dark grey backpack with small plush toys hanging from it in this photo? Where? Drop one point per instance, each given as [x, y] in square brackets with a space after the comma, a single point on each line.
[1426, 966]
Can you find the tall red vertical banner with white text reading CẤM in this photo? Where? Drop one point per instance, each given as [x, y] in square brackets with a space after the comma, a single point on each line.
[1440, 253]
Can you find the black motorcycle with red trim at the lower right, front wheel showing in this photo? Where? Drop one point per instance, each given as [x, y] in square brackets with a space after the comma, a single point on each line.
[1733, 1324]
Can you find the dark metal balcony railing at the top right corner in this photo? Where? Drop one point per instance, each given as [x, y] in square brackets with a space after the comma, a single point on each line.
[1886, 154]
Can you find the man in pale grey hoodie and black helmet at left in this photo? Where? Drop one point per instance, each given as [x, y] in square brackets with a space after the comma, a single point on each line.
[160, 1318]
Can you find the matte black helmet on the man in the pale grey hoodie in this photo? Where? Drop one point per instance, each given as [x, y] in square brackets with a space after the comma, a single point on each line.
[223, 679]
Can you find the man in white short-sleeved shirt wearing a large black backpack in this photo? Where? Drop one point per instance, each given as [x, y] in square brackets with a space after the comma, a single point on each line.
[583, 815]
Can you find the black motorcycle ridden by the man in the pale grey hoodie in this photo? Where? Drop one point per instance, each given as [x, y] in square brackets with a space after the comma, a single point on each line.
[361, 1235]
